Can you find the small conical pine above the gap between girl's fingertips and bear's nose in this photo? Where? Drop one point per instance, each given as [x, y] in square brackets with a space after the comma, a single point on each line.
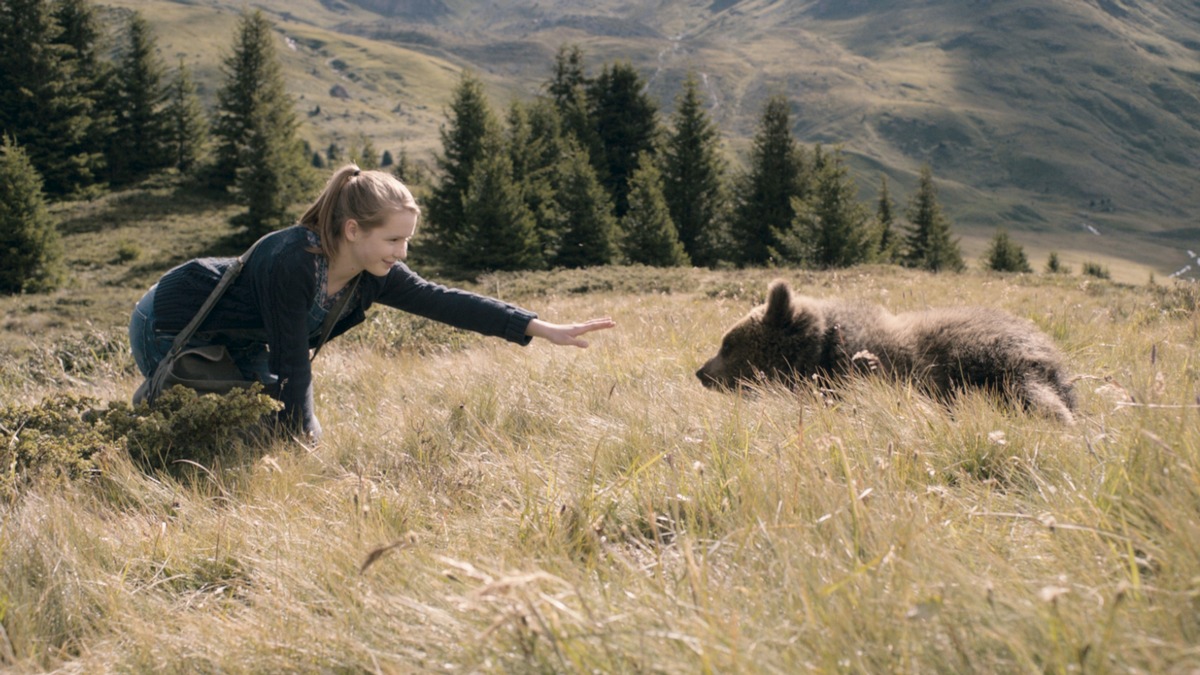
[649, 237]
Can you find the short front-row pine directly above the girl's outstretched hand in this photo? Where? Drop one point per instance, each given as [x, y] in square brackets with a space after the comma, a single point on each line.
[585, 211]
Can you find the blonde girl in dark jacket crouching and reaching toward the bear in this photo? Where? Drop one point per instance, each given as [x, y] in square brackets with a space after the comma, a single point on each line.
[359, 228]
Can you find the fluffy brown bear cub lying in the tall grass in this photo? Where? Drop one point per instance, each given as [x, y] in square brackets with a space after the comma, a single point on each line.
[943, 351]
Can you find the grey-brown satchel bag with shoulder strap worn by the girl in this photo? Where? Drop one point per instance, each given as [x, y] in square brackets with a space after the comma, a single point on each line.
[211, 369]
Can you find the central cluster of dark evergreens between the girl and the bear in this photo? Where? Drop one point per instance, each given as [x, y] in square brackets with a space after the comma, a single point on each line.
[587, 175]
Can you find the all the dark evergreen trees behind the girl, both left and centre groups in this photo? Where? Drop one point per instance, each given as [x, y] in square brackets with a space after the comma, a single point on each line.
[585, 174]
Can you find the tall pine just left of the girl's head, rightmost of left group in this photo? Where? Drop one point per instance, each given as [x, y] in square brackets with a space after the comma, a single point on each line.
[254, 100]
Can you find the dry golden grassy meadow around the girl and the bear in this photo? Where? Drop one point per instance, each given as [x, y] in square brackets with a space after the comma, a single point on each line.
[482, 507]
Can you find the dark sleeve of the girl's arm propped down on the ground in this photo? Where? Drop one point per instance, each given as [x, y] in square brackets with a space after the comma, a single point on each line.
[286, 290]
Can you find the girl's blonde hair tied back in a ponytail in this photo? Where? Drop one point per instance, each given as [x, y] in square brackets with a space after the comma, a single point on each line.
[368, 198]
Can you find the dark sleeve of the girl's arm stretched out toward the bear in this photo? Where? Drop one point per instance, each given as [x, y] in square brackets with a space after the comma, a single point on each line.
[404, 290]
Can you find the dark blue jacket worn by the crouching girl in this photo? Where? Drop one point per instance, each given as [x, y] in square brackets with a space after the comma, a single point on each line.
[272, 297]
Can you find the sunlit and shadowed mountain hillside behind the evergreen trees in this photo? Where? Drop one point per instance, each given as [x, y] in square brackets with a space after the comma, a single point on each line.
[1073, 124]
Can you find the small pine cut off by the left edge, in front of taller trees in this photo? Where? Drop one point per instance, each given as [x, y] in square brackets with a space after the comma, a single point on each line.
[31, 249]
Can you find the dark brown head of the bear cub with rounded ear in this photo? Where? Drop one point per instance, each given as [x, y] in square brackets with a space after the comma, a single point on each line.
[778, 341]
